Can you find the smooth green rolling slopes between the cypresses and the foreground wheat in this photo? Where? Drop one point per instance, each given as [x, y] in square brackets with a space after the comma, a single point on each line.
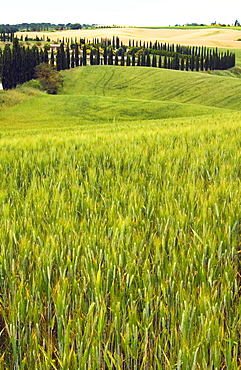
[103, 95]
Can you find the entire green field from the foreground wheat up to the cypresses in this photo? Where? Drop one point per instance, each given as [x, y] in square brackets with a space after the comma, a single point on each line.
[121, 222]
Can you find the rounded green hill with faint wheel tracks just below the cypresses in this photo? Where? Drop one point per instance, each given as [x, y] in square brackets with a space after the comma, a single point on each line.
[155, 84]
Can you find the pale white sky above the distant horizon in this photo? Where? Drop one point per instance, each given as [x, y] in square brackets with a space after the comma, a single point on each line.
[121, 12]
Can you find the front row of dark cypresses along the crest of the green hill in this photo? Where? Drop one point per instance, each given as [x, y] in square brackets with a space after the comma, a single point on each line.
[211, 60]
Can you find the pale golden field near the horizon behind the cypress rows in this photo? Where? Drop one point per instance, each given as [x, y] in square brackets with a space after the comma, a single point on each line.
[225, 38]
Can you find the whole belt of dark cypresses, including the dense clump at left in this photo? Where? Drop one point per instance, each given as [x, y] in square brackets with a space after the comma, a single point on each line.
[17, 63]
